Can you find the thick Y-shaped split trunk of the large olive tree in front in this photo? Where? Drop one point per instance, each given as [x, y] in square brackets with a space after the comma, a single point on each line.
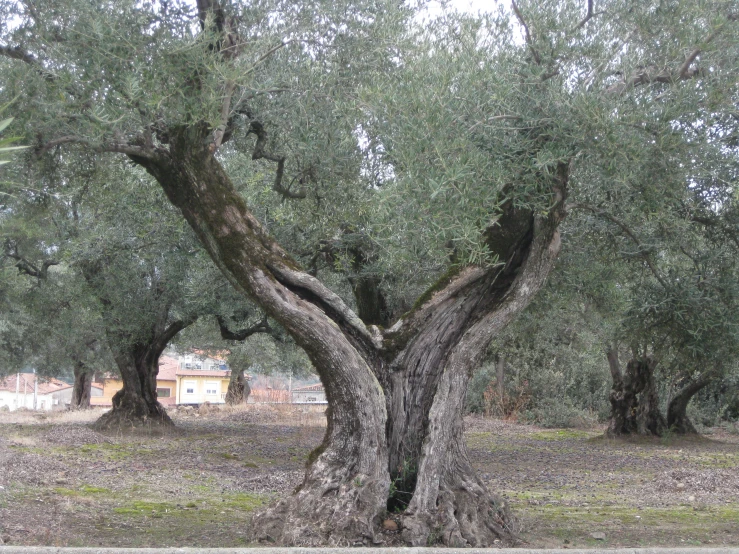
[396, 398]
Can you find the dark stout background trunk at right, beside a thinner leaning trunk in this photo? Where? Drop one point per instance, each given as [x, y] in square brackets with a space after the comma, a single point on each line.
[634, 400]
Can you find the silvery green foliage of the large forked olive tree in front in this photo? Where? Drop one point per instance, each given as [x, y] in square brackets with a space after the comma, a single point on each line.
[409, 132]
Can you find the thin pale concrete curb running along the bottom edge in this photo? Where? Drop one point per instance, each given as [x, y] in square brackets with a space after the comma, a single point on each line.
[259, 550]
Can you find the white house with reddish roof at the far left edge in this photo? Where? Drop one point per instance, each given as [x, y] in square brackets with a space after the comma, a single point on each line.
[27, 390]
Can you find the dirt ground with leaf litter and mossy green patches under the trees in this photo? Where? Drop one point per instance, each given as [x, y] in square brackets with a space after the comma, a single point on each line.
[63, 484]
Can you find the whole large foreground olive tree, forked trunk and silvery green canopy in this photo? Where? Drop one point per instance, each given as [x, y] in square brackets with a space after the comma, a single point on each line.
[391, 192]
